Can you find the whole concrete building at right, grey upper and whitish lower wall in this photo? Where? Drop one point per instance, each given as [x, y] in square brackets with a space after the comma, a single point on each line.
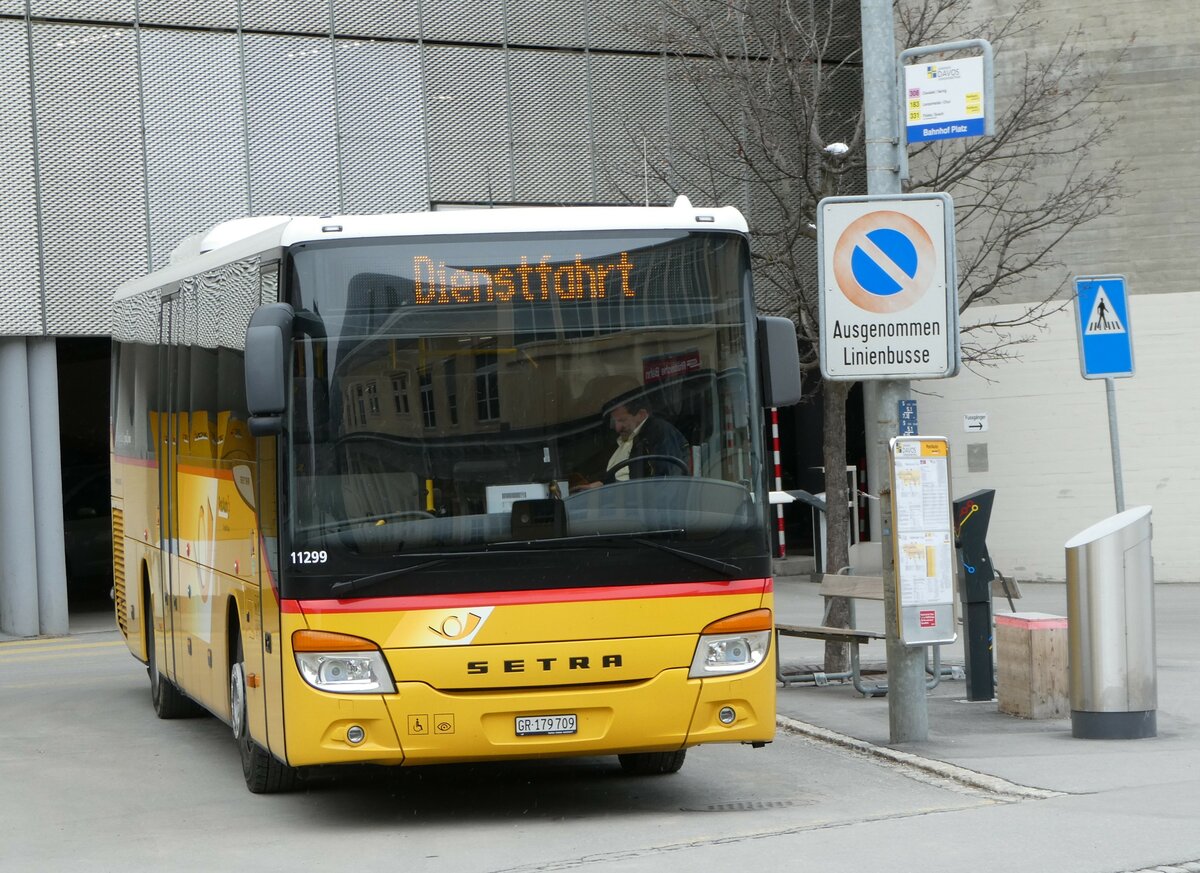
[1047, 447]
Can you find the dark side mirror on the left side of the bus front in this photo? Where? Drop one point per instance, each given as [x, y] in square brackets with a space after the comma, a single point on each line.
[268, 342]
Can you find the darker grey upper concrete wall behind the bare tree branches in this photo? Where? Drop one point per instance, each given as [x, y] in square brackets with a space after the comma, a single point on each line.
[1154, 234]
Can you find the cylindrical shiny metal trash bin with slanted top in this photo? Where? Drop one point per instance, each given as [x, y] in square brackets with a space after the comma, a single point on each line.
[1111, 631]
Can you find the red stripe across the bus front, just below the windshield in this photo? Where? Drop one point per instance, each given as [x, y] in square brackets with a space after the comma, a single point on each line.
[560, 595]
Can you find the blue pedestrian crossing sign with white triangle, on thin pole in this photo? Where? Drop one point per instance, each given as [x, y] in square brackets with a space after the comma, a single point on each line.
[1102, 320]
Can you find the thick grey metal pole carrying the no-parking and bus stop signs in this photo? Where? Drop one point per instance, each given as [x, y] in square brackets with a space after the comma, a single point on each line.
[908, 708]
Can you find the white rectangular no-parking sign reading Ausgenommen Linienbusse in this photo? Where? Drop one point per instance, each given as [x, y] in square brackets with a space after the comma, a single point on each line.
[887, 287]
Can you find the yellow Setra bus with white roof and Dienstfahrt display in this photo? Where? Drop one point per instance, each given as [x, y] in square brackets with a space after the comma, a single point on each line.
[370, 505]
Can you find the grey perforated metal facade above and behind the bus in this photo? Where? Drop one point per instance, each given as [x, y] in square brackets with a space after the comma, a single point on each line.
[127, 127]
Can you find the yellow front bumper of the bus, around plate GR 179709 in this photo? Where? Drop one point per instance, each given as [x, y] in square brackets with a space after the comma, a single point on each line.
[421, 725]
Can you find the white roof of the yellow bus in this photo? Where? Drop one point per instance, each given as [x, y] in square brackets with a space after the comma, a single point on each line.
[243, 238]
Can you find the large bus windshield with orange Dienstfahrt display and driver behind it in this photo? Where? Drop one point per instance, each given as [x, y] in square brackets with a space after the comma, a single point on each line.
[477, 413]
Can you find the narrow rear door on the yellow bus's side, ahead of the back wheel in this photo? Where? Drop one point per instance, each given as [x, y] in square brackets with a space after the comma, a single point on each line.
[171, 327]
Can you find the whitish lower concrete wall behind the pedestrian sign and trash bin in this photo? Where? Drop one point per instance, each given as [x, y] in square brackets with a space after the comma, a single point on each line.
[1048, 439]
